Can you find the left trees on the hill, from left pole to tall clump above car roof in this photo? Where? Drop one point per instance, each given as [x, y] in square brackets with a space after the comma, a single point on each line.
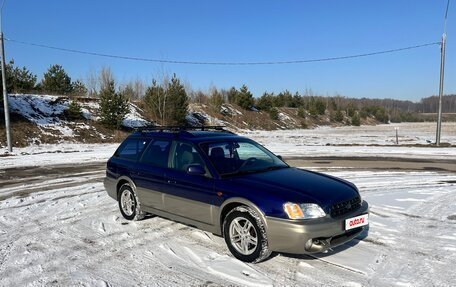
[165, 102]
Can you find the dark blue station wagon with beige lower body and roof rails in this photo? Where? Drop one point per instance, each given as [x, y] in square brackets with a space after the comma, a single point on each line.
[231, 186]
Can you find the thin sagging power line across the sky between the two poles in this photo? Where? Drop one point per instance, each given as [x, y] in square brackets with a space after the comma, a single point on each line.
[222, 63]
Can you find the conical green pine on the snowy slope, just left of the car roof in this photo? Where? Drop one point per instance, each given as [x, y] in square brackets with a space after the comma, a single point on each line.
[113, 106]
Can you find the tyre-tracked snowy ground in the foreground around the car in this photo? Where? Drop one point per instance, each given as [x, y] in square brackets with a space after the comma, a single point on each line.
[65, 231]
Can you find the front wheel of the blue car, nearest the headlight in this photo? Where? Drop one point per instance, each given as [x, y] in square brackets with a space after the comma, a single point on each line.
[245, 235]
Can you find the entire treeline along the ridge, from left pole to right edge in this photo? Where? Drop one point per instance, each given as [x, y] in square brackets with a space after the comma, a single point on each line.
[166, 101]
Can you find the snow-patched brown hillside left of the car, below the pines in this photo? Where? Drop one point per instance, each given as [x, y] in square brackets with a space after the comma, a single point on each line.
[38, 119]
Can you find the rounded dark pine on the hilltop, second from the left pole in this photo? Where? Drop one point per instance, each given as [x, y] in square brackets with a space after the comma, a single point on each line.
[56, 81]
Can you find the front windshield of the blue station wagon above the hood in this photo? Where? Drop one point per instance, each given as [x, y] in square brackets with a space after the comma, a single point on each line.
[232, 158]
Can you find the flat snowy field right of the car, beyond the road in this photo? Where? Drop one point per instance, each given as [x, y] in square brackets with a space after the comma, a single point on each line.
[363, 141]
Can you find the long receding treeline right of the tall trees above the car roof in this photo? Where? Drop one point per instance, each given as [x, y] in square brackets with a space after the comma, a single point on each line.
[337, 108]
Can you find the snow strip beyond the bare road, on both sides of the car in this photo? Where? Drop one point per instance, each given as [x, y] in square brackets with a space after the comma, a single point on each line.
[370, 141]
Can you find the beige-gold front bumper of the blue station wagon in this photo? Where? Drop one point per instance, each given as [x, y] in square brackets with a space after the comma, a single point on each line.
[291, 236]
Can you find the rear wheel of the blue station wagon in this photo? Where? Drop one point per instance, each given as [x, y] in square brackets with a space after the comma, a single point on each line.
[129, 205]
